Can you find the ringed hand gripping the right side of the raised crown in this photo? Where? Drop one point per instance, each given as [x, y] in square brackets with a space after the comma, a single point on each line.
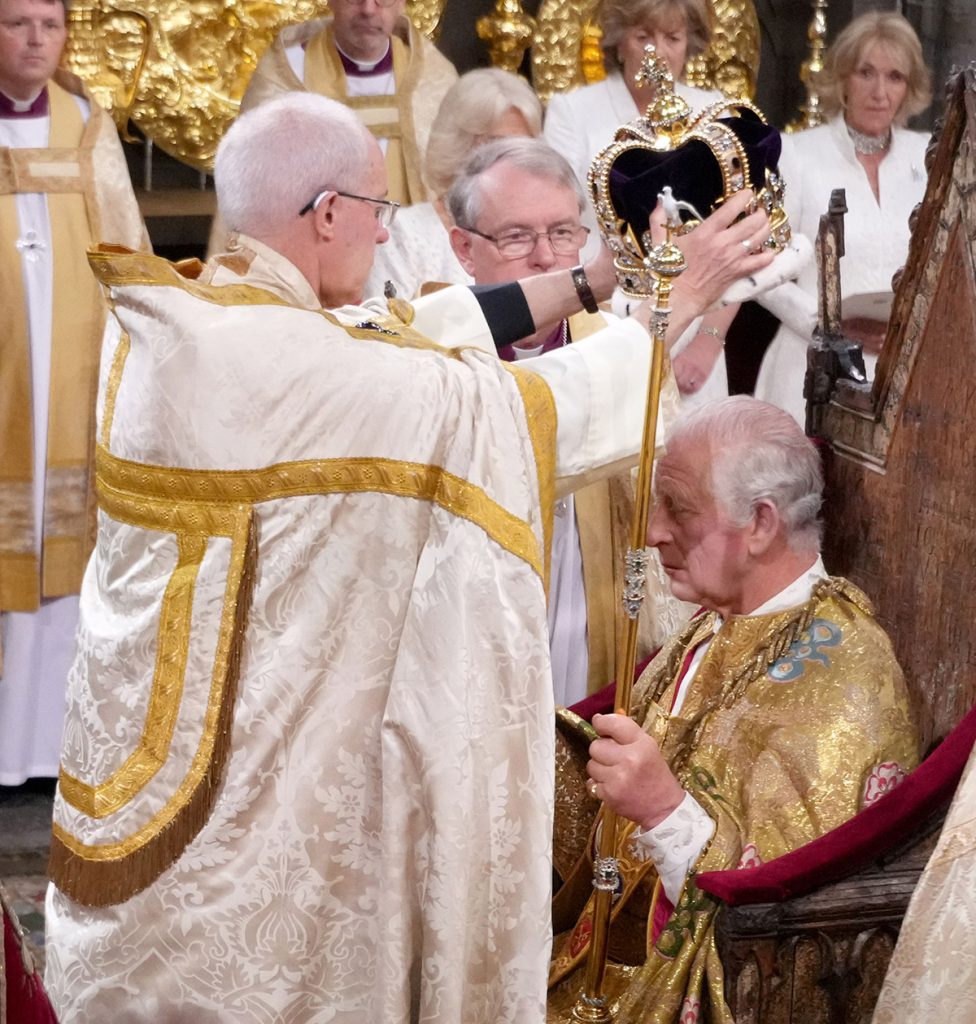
[722, 250]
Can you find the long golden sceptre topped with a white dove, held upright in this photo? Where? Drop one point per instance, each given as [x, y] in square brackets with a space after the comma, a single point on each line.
[665, 263]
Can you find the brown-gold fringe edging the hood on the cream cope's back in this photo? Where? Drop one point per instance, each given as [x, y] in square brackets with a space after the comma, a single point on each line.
[105, 882]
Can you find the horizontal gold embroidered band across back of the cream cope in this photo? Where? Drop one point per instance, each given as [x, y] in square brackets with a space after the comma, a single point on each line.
[327, 477]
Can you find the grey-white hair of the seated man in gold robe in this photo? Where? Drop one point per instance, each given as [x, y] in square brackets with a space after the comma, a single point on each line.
[758, 454]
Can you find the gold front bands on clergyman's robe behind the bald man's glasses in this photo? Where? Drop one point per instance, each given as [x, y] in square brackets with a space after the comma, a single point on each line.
[389, 117]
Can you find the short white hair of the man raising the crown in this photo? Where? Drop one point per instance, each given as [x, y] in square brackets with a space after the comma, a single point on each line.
[277, 157]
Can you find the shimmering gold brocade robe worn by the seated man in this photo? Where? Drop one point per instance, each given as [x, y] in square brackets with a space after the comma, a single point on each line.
[791, 721]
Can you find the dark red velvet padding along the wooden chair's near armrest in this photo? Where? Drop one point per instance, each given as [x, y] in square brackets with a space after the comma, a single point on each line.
[869, 835]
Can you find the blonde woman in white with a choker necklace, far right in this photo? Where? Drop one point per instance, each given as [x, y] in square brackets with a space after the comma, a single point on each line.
[874, 80]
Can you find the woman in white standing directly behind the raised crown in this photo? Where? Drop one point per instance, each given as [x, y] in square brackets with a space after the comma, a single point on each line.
[581, 123]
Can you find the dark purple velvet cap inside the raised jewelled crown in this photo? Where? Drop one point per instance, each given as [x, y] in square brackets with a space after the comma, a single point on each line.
[692, 169]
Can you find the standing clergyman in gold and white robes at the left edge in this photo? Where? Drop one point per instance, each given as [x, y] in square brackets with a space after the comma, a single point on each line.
[64, 186]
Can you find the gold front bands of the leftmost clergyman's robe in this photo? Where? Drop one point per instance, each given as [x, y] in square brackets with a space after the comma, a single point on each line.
[64, 172]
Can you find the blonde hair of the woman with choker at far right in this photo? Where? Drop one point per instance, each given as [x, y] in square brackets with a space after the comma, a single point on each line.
[846, 52]
